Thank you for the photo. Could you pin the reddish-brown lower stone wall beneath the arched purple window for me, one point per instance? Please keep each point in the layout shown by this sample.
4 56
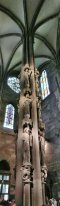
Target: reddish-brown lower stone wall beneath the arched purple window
8 153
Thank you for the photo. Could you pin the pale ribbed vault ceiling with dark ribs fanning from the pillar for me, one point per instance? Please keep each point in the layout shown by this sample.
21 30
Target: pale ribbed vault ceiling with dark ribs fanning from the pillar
21 19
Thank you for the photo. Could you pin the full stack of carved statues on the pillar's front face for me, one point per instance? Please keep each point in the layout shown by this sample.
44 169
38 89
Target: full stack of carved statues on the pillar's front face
25 107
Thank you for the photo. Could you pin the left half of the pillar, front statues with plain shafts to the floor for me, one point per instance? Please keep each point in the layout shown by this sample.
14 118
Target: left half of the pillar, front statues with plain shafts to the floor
23 173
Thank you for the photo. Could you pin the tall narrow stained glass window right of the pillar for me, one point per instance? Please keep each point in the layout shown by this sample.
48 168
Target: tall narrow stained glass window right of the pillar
44 85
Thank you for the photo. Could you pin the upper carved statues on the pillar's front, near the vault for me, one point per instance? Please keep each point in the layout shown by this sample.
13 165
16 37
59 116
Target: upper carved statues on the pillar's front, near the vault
25 98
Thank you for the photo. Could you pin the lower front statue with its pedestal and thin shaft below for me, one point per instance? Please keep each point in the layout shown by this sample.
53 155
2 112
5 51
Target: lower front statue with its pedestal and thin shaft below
27 127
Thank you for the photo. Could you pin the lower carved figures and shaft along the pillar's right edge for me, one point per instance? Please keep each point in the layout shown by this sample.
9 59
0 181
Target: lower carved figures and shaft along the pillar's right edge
41 135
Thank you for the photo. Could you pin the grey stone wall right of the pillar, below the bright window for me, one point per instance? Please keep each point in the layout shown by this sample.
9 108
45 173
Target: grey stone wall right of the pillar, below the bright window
51 118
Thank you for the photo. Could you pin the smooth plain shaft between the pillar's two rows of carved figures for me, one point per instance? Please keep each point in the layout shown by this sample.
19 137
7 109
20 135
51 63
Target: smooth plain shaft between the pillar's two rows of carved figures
37 187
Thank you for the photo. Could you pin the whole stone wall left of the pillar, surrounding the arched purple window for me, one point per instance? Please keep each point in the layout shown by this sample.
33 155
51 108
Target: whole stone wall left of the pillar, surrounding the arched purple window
7 136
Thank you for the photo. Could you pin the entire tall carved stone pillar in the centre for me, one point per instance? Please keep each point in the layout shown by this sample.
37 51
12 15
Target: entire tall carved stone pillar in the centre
29 166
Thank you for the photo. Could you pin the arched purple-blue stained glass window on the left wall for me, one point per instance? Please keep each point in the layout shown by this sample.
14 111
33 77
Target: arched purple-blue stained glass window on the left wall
9 116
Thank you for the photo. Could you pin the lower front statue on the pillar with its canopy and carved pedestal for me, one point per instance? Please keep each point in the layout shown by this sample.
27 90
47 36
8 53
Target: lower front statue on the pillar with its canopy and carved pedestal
27 143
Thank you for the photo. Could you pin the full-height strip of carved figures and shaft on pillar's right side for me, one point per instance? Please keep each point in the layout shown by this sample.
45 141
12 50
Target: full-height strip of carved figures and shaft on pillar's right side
41 137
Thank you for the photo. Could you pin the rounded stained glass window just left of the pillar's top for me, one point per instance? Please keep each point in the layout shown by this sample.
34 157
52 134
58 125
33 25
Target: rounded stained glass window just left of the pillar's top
14 84
